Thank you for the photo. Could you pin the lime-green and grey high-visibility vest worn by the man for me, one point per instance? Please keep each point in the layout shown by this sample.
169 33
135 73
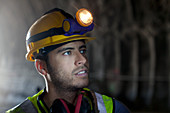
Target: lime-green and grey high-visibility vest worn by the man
30 105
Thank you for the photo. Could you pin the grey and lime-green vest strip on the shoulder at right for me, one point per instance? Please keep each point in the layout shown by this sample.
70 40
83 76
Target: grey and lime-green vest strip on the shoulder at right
104 103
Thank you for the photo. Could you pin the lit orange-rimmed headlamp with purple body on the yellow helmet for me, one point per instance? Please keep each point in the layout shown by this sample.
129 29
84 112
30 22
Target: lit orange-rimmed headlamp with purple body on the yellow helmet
81 24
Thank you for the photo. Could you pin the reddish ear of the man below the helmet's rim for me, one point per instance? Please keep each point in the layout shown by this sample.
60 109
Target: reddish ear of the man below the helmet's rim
41 66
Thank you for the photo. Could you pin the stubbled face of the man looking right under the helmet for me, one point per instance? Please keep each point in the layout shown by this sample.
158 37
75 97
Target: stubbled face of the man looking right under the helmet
68 66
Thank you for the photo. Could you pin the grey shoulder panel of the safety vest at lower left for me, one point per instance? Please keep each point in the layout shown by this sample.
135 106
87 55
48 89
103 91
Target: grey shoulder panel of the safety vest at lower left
24 107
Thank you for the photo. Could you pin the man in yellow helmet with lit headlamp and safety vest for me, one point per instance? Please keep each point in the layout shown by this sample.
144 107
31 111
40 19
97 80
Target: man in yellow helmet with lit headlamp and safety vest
57 44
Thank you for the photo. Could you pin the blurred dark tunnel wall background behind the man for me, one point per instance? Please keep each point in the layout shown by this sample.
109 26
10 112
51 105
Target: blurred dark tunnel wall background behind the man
129 60
